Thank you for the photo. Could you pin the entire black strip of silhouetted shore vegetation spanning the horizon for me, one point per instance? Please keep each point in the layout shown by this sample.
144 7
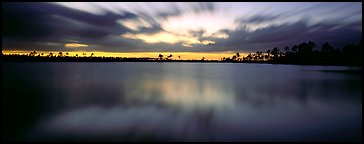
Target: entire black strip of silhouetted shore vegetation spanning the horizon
304 53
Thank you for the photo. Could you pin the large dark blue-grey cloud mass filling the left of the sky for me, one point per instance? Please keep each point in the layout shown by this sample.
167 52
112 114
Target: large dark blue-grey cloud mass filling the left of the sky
32 25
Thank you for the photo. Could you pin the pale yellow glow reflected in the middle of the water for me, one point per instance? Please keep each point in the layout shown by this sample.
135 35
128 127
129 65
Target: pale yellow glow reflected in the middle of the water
185 93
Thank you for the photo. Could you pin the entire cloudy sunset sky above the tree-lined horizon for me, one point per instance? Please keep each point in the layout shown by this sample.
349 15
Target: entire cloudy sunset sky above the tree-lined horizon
185 27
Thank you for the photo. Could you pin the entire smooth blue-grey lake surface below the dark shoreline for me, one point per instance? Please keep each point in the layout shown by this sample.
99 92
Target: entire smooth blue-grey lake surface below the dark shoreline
180 102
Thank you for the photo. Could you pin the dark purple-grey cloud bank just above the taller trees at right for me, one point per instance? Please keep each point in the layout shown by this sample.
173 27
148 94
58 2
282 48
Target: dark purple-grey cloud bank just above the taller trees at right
288 35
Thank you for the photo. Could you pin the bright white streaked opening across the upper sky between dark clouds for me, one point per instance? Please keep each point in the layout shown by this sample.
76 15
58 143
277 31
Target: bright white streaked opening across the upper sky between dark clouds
194 16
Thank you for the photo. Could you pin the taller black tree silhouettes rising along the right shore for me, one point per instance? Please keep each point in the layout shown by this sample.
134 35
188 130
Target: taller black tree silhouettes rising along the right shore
305 53
